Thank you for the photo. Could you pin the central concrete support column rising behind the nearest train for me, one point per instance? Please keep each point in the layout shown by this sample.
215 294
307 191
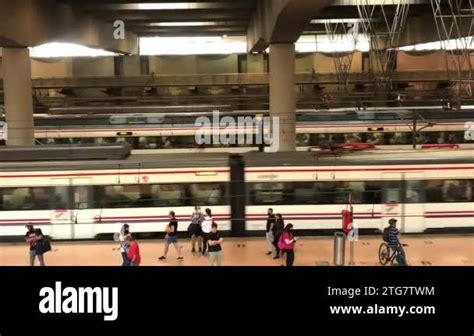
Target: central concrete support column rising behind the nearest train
282 92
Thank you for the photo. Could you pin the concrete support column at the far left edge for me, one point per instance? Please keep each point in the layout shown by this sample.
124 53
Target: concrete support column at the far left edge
18 97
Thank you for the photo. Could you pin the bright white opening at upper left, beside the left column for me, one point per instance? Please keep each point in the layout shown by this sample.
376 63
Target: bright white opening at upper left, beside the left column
56 49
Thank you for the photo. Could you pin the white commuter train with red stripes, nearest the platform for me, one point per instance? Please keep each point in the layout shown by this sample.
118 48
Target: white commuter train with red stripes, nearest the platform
85 199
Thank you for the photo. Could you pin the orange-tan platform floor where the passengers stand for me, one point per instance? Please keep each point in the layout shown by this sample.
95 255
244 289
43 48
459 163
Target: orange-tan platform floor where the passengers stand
422 250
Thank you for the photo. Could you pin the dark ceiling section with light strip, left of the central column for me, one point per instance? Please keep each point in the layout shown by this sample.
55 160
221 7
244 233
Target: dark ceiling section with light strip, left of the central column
174 18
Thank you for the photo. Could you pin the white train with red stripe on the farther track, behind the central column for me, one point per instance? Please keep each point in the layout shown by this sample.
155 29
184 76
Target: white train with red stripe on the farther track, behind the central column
175 131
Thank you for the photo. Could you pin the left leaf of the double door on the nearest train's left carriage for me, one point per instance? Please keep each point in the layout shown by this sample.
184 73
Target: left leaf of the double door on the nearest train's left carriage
60 213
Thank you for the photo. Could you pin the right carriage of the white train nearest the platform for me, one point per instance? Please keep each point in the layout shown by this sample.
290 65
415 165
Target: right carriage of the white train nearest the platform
424 190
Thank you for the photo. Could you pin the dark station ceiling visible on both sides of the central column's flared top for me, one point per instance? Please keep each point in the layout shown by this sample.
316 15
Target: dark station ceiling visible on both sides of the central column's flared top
212 17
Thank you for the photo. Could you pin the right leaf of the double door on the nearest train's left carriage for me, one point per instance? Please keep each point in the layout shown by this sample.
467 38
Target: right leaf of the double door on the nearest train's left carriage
84 213
